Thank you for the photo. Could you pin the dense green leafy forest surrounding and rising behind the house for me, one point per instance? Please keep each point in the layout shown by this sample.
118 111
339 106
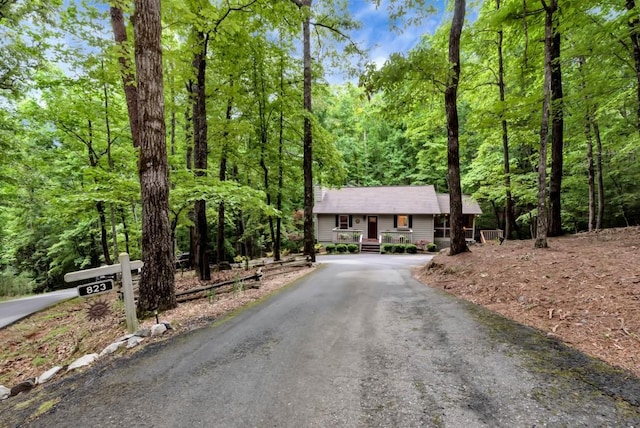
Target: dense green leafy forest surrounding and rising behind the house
235 115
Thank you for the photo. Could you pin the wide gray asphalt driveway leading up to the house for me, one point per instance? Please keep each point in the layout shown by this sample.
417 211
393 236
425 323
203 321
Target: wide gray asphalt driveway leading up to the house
353 344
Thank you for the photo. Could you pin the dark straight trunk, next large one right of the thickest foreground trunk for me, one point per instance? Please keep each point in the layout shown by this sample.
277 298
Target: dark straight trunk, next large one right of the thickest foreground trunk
200 153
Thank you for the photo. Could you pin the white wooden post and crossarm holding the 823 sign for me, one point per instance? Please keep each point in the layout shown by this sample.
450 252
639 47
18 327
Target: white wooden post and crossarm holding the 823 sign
125 267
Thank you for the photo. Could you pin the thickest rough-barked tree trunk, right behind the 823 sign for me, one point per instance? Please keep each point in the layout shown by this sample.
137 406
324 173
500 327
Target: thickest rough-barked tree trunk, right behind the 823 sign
157 283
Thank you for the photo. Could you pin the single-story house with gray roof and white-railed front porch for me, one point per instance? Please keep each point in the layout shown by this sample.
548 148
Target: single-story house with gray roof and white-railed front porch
371 216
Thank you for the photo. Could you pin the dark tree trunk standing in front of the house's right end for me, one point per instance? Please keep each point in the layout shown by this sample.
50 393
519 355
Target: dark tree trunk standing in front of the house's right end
458 239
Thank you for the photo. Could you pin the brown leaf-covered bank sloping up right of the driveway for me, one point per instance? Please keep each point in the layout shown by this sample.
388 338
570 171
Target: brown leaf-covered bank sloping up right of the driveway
583 289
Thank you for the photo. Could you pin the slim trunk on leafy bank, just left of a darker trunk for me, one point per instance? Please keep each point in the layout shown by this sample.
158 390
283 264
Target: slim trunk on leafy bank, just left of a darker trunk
543 219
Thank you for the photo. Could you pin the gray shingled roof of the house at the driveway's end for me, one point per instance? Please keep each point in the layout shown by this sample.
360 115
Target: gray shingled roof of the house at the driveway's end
386 200
